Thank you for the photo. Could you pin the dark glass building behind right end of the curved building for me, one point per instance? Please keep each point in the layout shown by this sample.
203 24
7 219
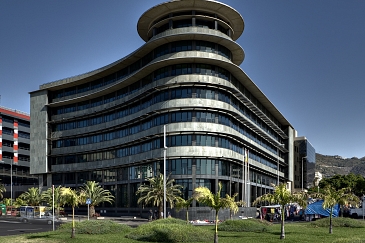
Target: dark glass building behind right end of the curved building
305 161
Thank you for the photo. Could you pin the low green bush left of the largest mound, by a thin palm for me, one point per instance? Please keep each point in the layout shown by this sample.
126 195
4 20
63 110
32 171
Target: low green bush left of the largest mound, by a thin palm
96 227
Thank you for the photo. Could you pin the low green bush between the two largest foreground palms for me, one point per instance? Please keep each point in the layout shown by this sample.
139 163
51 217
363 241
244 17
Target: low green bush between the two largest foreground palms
244 225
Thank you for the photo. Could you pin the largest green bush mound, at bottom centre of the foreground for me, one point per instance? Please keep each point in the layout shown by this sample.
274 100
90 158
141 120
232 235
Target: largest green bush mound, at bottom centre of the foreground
170 230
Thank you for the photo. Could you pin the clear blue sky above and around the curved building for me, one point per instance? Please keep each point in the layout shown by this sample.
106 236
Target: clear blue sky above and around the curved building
308 57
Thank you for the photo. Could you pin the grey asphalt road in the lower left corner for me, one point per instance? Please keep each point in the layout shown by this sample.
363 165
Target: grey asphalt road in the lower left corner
13 226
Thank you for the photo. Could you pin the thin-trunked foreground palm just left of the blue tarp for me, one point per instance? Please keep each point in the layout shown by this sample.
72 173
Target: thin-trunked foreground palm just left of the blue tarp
283 196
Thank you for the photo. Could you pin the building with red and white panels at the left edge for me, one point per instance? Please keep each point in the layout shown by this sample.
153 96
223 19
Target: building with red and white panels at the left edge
14 152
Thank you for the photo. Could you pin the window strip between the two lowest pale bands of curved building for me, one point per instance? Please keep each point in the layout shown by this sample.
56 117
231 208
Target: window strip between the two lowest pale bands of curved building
172 141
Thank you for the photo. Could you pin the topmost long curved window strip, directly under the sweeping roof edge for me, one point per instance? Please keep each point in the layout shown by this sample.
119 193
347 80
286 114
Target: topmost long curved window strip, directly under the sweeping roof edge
172 47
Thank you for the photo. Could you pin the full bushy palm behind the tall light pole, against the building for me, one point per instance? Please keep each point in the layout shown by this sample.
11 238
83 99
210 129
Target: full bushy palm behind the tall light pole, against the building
154 192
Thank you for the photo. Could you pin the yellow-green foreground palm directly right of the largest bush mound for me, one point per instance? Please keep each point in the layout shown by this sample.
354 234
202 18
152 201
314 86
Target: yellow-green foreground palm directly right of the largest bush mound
215 201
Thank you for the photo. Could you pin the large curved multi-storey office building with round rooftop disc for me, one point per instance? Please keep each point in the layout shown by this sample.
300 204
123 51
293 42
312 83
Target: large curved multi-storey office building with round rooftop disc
107 125
